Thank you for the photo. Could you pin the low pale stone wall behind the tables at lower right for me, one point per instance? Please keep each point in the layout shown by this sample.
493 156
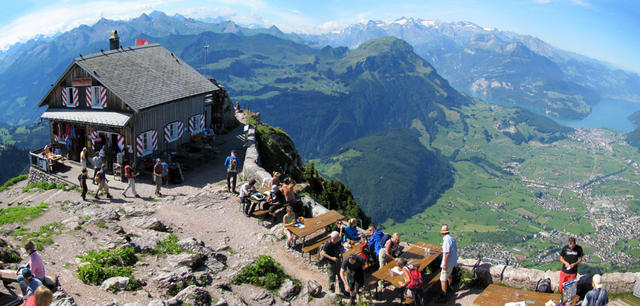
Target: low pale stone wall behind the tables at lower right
528 278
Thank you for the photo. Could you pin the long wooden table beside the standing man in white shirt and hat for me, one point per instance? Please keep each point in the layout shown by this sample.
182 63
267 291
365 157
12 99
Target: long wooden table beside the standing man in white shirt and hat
416 255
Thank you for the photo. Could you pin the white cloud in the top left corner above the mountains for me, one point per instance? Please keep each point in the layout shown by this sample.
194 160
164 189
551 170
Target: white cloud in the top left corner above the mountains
64 16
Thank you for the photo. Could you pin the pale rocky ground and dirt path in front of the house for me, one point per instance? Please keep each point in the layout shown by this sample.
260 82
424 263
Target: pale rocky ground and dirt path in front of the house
200 209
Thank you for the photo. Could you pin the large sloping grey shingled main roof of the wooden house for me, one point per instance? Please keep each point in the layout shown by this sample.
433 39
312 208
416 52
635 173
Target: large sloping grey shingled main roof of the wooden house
145 76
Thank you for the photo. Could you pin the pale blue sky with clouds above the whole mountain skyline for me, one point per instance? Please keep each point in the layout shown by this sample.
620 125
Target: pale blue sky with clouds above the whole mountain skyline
608 30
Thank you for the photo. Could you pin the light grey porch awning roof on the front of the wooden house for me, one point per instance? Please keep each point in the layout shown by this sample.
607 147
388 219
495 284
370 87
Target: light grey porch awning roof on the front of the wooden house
113 119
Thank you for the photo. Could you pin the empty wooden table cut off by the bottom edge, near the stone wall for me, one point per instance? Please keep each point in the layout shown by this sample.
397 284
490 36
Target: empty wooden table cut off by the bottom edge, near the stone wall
499 295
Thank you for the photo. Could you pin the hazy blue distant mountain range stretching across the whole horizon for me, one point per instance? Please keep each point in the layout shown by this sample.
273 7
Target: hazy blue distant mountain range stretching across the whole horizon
496 65
